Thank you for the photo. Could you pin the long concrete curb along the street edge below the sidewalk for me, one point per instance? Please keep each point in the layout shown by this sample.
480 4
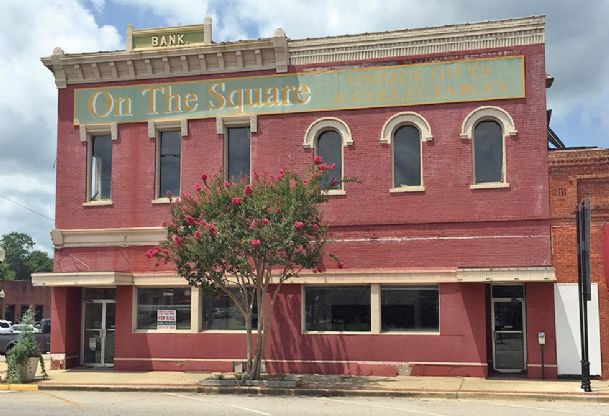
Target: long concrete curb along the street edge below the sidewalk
263 391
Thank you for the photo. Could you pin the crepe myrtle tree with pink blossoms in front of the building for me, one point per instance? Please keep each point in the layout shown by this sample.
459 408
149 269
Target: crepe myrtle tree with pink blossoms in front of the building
248 236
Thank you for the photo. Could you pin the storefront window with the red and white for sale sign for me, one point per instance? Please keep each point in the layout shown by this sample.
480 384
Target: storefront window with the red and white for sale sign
172 302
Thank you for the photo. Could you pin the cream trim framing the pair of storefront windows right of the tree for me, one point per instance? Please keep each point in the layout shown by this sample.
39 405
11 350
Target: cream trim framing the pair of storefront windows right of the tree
375 314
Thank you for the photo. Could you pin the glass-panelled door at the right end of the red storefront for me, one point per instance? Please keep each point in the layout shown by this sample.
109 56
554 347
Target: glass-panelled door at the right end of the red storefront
508 328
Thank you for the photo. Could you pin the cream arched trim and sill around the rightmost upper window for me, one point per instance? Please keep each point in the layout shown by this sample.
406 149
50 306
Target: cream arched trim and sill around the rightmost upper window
508 128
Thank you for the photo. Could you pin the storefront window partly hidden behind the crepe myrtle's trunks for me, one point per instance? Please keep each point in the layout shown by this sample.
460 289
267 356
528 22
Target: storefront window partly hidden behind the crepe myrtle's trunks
221 313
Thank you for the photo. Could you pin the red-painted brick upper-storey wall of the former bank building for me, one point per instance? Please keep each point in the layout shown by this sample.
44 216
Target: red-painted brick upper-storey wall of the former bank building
513 222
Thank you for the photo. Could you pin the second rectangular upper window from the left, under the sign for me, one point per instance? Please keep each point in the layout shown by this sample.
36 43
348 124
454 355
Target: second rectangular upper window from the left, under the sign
169 151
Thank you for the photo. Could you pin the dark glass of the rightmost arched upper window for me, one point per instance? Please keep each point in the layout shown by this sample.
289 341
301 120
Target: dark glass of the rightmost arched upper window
488 152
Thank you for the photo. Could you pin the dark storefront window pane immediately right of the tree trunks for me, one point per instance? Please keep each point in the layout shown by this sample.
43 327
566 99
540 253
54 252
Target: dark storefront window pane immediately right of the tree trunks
337 308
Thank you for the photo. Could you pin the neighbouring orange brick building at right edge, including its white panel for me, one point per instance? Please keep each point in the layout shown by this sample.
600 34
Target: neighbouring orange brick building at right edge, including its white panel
576 174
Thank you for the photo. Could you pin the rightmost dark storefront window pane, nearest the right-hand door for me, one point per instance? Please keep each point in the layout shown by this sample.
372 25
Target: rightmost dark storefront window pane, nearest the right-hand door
407 308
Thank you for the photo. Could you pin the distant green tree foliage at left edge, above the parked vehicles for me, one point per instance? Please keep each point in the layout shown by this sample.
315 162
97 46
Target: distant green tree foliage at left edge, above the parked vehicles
21 260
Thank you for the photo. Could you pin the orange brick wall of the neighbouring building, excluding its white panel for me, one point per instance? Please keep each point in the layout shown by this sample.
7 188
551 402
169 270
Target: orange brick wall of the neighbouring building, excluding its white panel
577 174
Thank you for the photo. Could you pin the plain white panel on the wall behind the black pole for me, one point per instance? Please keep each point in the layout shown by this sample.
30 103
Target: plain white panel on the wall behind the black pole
568 345
